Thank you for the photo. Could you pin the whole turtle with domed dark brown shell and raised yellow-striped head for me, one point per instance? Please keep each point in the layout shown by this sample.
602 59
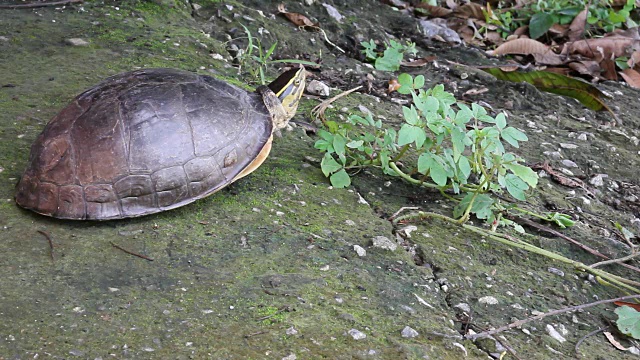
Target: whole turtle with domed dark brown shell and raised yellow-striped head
152 140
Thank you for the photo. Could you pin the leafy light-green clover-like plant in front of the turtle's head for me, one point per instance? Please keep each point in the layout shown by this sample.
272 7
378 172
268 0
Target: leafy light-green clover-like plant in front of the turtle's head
457 149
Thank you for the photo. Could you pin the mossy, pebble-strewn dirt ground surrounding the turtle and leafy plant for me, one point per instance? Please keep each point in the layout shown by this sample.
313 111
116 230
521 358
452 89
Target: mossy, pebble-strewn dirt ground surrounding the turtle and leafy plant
266 269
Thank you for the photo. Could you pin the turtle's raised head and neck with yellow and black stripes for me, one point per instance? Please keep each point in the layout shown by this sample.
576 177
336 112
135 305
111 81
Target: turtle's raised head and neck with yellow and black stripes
288 87
